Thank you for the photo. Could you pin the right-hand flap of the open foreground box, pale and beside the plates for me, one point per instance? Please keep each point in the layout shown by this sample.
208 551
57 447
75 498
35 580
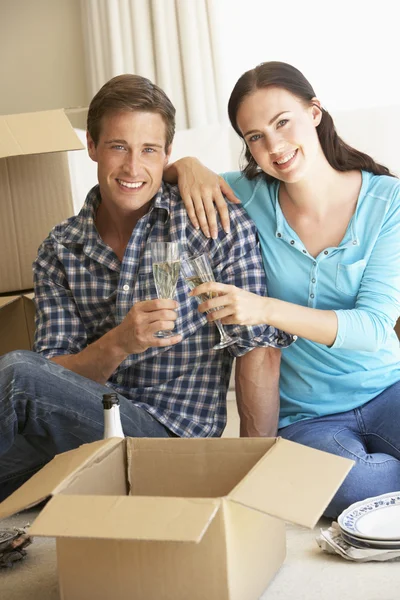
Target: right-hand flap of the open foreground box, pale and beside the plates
292 482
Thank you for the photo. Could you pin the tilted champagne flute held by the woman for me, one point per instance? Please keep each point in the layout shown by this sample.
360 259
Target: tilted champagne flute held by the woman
198 270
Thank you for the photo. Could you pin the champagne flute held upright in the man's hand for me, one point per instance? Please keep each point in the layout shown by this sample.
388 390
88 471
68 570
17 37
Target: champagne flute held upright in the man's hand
166 266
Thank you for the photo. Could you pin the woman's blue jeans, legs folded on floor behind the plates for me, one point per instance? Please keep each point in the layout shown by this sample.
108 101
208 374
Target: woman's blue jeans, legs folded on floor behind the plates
369 435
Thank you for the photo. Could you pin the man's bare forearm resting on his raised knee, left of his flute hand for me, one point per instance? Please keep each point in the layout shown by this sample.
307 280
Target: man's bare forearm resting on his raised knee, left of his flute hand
98 360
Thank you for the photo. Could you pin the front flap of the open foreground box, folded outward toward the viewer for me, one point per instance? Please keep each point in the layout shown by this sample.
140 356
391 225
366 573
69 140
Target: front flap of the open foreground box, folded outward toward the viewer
126 518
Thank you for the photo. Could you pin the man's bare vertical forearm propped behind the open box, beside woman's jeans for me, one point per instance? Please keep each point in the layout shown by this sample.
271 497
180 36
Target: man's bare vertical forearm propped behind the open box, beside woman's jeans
257 392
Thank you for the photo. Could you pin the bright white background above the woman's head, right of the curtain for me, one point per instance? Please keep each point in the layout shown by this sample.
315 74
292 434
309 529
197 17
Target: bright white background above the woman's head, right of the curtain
348 49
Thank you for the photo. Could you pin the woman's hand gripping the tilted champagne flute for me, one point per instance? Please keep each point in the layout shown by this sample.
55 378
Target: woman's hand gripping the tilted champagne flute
235 306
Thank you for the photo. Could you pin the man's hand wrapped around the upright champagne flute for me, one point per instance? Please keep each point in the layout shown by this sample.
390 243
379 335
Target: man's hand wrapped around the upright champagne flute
136 332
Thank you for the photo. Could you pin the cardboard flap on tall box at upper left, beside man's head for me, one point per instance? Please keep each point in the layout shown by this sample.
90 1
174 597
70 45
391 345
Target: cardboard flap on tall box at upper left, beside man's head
37 133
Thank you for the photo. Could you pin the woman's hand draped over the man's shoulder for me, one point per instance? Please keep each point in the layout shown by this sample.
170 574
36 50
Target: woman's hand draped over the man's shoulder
200 189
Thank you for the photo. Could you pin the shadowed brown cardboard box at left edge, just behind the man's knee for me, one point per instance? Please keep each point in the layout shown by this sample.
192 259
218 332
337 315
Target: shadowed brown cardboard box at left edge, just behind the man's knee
17 323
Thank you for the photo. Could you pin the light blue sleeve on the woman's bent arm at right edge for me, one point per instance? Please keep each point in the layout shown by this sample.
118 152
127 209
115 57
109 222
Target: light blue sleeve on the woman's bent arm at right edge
368 325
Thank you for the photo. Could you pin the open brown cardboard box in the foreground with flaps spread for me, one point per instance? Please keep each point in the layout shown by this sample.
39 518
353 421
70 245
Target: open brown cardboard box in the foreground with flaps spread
176 519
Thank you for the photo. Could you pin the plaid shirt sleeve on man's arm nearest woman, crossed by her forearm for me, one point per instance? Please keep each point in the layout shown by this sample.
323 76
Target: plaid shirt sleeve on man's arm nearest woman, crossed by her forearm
236 259
